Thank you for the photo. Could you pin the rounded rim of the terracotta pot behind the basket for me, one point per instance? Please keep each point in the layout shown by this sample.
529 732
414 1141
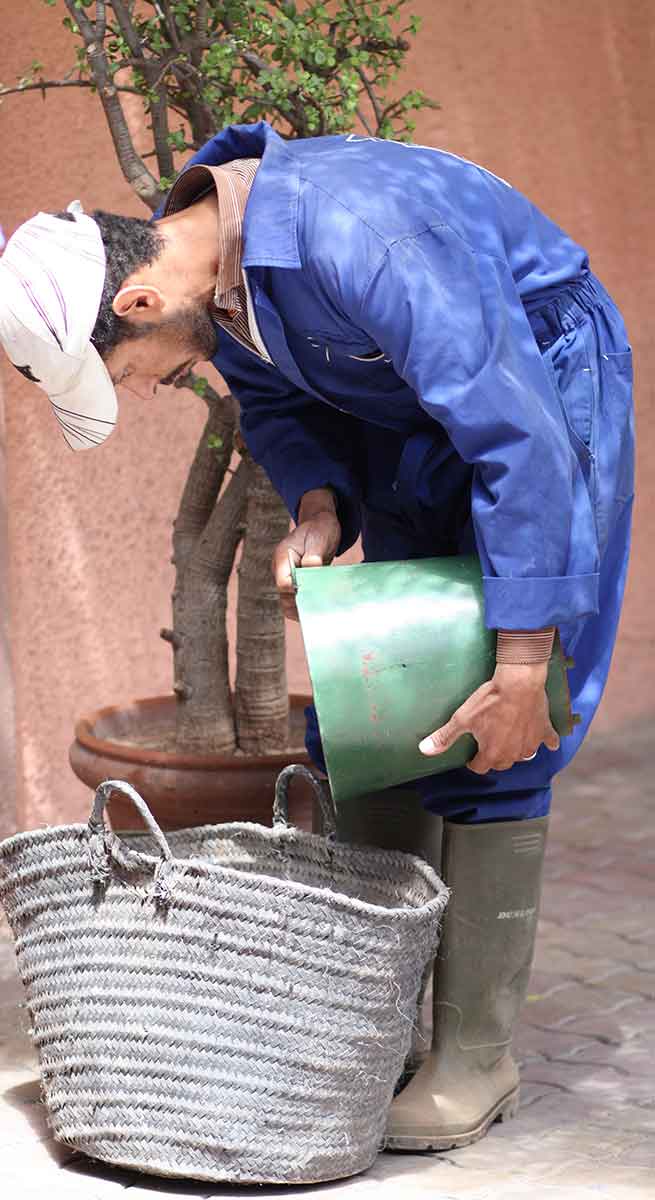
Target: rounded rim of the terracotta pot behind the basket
167 759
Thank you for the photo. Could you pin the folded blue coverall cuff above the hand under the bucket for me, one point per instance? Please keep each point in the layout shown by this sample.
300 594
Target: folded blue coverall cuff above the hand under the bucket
533 603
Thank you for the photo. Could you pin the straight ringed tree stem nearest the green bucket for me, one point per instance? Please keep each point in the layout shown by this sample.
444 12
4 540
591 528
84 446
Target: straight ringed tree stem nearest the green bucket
262 699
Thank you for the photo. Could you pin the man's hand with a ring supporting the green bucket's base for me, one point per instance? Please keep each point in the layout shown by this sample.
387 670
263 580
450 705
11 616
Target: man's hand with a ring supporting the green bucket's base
508 717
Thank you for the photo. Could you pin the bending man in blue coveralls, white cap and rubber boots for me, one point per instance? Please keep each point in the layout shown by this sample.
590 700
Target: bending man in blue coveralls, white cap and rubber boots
422 356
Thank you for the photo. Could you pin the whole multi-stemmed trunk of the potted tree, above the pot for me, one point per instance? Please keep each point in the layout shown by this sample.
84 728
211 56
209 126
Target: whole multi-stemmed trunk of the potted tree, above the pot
207 536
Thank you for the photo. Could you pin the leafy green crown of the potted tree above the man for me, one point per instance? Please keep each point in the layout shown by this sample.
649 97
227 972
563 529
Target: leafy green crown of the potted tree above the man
199 65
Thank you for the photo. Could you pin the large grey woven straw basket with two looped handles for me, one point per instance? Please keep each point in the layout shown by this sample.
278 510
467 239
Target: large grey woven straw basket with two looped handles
231 1004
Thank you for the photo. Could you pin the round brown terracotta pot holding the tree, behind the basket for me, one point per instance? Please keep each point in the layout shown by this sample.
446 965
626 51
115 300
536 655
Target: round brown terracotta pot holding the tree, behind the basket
184 789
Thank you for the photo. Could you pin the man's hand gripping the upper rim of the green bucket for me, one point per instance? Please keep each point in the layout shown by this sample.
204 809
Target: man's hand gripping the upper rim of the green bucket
314 543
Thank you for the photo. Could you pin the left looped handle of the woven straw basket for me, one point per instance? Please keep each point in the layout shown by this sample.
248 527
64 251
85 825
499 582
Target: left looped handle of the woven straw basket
104 844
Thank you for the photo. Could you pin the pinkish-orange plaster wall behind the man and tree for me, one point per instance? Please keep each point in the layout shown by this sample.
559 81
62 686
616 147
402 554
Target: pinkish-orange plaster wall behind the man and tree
557 98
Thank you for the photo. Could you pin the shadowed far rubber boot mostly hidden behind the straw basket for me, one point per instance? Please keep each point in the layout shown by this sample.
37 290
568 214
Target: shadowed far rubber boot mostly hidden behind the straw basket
396 820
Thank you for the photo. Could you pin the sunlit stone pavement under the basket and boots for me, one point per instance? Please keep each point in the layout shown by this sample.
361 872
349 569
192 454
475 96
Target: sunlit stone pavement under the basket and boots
587 1041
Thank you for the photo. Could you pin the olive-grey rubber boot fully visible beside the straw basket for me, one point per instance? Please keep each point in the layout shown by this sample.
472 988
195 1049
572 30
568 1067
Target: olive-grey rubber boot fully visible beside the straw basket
470 1078
